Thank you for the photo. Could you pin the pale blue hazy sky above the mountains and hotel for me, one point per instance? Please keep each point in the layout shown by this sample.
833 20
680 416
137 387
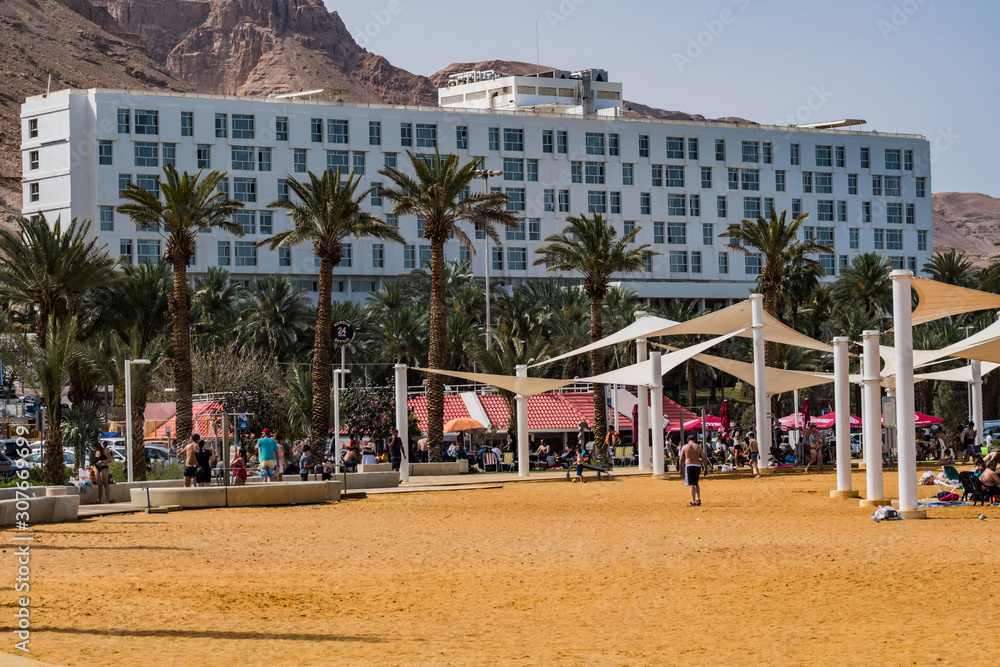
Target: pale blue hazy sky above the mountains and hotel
917 66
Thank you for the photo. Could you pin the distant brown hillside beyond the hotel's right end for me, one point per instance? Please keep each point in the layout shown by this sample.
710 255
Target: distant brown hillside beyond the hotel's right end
967 221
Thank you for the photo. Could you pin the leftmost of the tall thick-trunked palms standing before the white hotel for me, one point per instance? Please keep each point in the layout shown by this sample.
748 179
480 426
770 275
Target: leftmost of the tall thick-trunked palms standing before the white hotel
190 204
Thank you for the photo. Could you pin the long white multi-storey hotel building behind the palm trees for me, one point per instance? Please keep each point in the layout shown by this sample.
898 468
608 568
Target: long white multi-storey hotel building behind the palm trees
562 140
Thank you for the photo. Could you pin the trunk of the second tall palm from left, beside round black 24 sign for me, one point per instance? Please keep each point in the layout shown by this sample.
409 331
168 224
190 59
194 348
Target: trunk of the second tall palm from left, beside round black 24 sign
320 424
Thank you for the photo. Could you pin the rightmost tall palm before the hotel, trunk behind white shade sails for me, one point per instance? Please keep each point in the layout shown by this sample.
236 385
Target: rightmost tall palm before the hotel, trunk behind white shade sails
775 241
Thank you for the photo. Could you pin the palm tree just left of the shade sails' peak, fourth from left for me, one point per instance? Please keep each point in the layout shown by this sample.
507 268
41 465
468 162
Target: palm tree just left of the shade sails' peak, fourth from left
592 248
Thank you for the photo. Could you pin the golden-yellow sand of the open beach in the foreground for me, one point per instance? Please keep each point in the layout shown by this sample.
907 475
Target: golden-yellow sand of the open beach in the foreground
768 571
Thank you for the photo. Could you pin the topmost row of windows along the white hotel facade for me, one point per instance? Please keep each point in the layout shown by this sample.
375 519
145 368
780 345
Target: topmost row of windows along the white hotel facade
425 135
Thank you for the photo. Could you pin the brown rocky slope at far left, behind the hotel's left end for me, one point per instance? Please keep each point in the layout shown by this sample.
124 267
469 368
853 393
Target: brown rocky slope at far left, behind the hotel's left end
80 46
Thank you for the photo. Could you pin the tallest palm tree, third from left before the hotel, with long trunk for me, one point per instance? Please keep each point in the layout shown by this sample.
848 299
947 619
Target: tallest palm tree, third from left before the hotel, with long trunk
439 195
